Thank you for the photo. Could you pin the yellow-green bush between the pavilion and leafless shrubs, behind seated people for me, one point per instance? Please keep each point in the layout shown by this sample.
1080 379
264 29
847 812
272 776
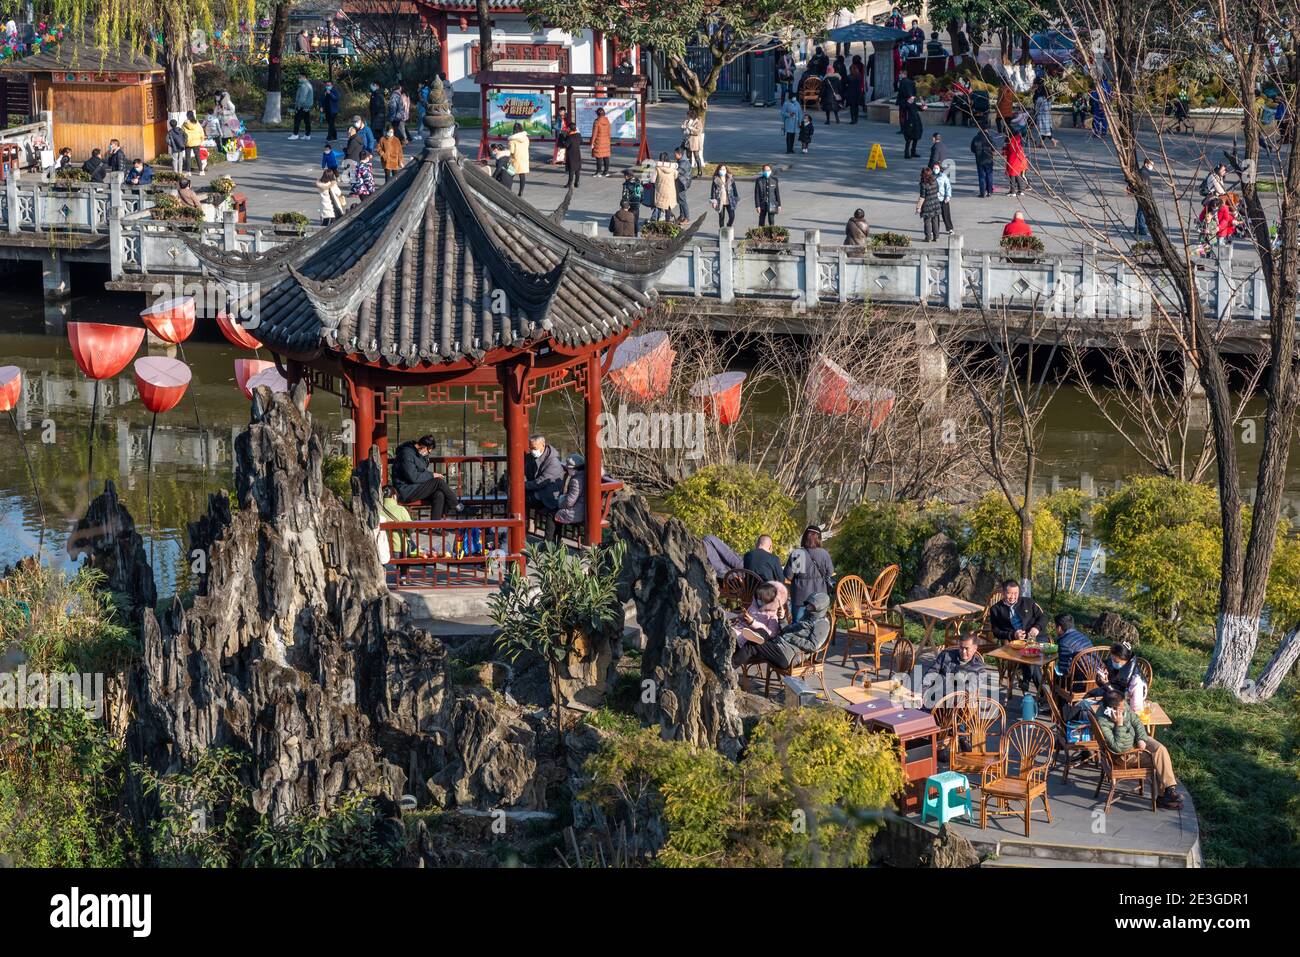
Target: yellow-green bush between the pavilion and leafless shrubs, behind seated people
736 504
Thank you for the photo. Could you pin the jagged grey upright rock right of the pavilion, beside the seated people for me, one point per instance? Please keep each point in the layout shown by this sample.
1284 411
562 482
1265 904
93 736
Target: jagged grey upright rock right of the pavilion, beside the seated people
688 644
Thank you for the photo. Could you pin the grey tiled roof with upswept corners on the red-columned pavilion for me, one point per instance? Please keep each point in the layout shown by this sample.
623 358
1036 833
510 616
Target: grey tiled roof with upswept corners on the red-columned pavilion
440 265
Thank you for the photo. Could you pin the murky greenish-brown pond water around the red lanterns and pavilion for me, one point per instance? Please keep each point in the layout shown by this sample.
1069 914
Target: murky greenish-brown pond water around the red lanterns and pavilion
193 447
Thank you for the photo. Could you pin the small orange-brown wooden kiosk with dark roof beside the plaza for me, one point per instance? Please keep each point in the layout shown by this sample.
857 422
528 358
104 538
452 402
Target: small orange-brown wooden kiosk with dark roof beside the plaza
97 96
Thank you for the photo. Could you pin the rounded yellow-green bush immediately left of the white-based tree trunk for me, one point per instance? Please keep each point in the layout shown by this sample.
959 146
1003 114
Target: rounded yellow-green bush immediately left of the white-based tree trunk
1164 545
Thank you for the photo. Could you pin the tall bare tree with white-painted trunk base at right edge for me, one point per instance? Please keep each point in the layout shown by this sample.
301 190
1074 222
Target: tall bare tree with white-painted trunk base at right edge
1250 46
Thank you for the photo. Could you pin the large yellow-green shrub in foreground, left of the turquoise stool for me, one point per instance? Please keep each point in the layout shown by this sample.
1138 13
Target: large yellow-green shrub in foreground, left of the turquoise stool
809 790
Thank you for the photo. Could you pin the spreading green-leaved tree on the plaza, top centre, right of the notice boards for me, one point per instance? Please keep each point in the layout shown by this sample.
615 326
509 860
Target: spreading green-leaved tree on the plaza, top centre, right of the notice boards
694 41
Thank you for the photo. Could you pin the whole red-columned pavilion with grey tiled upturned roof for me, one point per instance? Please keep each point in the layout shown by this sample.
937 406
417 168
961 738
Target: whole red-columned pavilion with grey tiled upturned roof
447 285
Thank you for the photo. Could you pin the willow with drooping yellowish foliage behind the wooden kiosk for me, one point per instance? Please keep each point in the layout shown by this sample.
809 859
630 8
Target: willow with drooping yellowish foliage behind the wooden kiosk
162 27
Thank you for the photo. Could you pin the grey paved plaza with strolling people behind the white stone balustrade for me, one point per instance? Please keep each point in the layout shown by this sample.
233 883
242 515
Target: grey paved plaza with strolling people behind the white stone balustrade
820 190
